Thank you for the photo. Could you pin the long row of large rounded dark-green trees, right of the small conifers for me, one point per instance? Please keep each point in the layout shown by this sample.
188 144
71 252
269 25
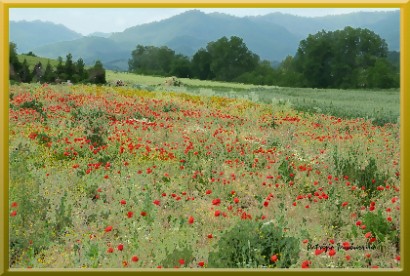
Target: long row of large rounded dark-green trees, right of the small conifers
348 58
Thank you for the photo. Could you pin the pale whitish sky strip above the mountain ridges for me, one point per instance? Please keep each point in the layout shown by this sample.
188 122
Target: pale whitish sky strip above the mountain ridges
86 21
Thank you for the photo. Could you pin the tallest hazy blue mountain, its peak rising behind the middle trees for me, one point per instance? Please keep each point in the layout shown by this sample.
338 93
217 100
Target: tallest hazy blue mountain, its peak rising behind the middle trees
189 31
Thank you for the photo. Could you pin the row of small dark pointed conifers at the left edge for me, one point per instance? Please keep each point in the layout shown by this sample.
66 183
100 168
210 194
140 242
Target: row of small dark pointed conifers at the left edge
66 70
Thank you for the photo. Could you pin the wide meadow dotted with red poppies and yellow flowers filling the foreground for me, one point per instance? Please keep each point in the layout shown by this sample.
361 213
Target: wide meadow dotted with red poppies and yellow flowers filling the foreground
139 178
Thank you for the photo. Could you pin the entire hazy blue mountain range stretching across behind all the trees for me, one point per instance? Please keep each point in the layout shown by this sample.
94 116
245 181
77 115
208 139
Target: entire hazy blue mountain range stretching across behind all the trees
272 36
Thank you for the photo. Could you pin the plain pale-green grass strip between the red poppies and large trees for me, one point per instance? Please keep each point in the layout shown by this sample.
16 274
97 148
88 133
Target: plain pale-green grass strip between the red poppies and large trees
381 106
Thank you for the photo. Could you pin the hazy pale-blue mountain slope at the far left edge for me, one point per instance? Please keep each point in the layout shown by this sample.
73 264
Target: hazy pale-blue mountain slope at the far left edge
29 35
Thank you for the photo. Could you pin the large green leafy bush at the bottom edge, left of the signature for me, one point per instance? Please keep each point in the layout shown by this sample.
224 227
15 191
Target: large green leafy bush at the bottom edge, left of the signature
251 244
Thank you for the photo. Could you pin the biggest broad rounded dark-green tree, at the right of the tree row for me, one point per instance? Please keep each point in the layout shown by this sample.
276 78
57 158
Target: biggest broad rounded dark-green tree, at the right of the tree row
339 59
